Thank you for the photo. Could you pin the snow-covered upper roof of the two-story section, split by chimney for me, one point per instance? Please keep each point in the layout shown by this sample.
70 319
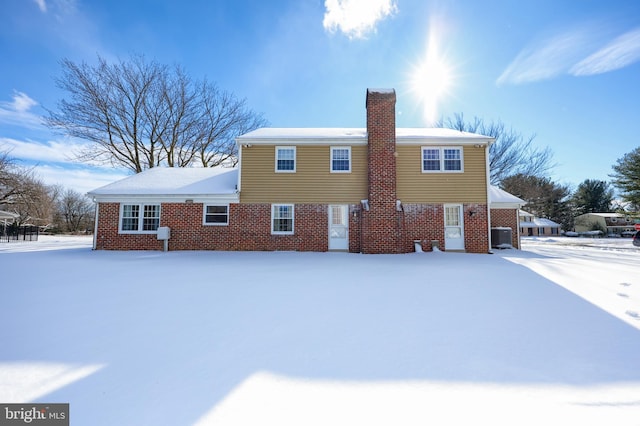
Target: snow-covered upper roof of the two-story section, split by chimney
269 135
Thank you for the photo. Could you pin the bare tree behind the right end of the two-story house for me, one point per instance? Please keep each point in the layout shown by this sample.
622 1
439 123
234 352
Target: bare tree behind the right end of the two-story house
510 154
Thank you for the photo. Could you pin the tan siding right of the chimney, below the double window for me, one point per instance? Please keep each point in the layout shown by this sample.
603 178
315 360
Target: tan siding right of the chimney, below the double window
417 187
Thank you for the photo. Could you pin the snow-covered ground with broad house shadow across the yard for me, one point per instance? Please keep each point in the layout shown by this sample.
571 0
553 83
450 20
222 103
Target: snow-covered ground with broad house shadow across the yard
547 335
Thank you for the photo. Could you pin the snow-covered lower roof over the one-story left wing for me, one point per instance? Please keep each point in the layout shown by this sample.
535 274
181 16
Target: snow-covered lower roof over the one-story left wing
173 182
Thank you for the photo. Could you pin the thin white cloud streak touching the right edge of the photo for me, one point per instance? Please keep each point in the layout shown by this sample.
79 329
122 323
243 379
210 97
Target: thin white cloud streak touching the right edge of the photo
621 52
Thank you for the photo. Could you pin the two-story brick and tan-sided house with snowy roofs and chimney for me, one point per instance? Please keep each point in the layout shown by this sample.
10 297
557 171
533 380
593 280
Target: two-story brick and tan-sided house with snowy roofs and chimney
377 189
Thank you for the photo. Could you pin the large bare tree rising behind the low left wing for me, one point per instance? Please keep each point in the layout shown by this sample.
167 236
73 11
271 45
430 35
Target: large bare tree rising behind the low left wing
140 114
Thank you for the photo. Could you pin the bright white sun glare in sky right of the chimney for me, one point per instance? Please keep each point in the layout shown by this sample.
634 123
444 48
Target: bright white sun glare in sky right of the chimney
431 79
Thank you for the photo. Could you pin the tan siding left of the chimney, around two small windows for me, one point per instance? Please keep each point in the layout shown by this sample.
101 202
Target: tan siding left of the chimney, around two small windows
312 181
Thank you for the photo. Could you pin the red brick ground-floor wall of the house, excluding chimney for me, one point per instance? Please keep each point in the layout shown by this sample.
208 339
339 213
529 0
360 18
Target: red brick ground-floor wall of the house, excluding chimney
249 229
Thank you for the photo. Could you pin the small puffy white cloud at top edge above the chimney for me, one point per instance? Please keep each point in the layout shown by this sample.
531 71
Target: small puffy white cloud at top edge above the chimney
356 18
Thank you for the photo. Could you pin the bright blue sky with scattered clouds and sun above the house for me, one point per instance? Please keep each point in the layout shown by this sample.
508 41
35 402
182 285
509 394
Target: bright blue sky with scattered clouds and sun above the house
566 71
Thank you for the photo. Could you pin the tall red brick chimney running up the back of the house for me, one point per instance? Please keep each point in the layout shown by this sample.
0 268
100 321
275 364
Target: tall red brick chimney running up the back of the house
382 222
